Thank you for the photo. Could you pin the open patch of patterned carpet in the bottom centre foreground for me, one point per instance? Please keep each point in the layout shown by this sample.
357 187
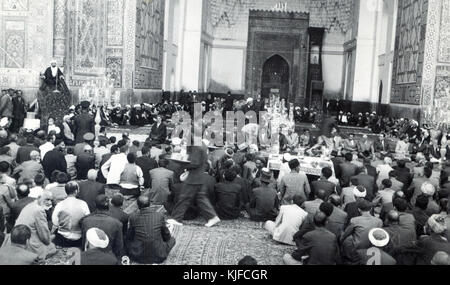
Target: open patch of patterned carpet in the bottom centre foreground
225 244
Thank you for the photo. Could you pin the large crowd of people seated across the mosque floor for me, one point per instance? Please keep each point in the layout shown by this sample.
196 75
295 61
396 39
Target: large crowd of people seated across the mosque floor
386 197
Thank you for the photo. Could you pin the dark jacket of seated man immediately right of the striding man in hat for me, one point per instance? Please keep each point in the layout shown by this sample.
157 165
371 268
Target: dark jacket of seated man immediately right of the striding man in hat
227 200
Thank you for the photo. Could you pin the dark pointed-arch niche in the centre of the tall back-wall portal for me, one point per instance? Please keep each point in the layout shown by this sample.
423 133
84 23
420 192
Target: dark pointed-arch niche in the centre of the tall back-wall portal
275 78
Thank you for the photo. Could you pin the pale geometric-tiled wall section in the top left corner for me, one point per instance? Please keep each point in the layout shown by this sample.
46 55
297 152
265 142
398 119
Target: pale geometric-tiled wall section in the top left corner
26 34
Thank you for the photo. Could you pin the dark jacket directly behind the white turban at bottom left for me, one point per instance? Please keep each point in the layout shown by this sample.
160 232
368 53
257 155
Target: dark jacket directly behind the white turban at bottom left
111 226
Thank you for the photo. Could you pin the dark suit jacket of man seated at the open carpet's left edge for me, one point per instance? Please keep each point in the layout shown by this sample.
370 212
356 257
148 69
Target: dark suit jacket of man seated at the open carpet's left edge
149 240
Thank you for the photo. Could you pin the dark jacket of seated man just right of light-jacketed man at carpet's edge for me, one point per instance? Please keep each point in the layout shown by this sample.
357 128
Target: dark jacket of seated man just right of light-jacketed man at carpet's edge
320 245
